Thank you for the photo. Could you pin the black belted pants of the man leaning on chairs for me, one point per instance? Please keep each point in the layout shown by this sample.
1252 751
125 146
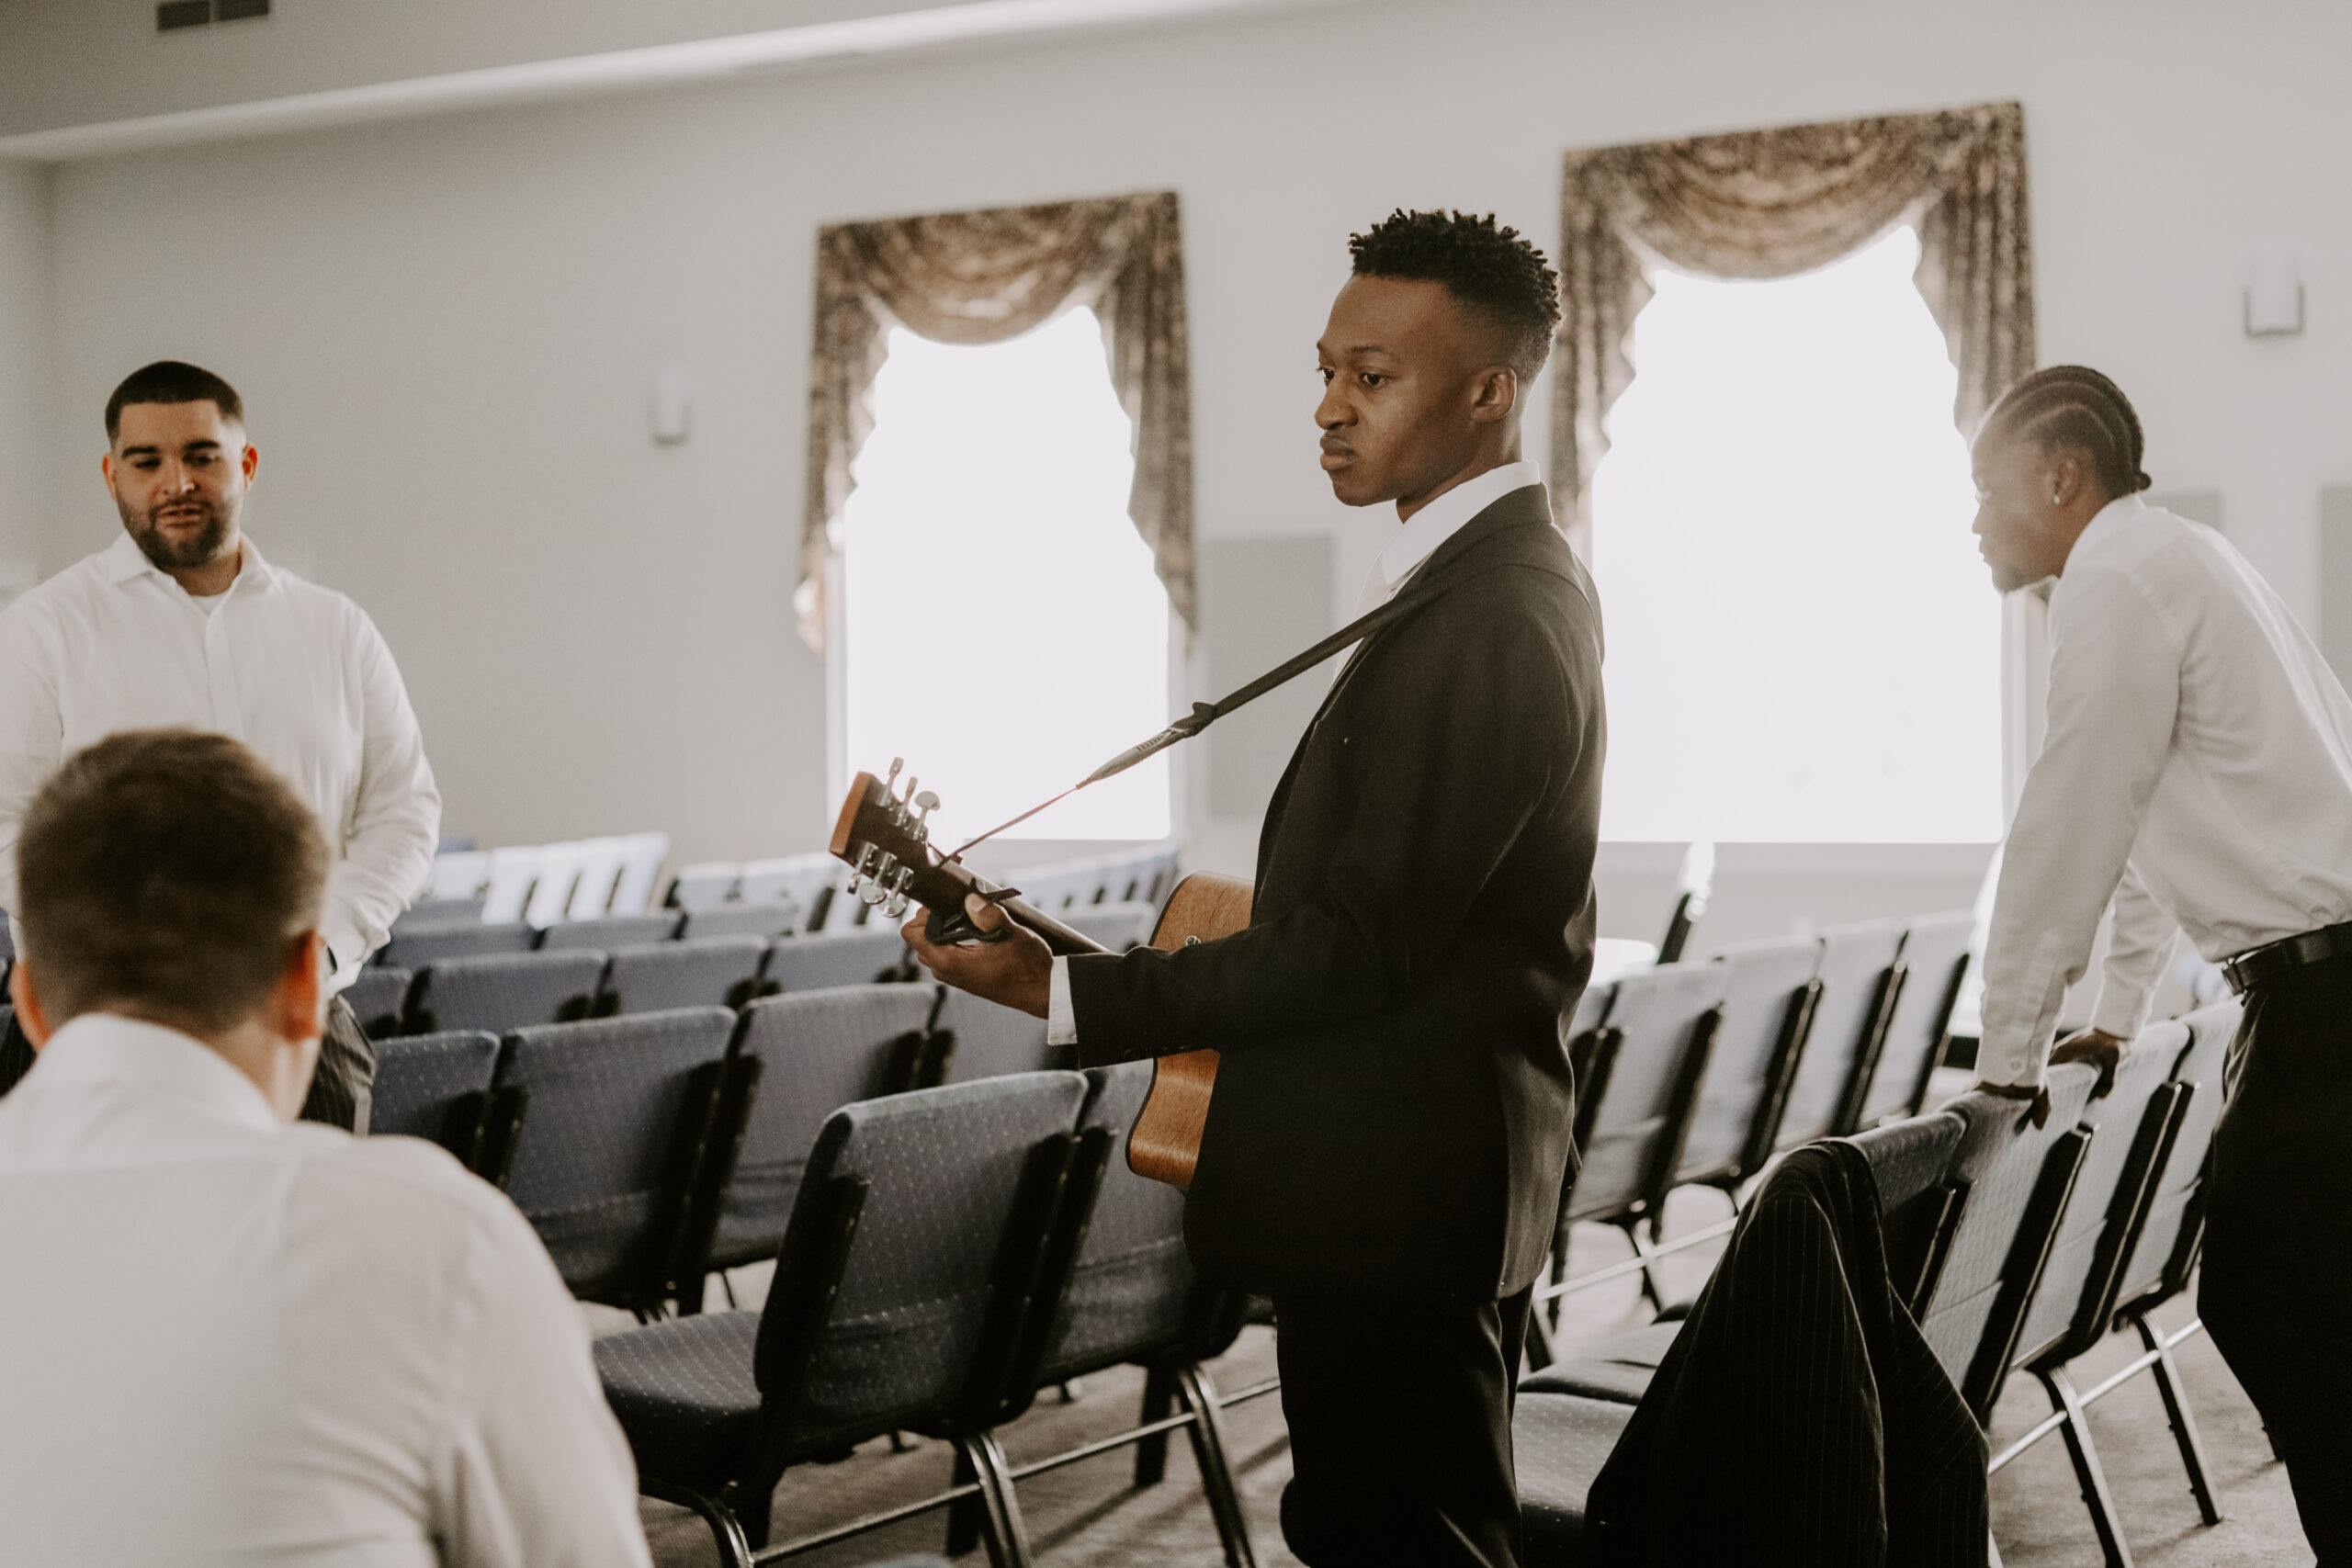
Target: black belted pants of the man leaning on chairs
2278 1259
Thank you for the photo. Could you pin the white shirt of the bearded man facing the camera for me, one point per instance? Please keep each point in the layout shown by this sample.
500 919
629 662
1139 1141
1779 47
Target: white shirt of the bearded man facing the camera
286 666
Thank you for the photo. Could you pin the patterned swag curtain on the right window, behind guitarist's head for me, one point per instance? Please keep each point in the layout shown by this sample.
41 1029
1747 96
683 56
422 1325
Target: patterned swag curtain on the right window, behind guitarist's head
1786 201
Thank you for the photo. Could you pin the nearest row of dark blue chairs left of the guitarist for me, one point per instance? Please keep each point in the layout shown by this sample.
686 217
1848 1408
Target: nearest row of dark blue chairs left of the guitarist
949 1240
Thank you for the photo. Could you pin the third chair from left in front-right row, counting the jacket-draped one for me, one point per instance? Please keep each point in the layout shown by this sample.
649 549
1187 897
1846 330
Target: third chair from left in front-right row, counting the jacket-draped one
2132 1134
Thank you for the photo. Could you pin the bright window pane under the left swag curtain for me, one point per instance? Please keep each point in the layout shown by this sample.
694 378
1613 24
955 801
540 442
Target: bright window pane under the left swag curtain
1005 631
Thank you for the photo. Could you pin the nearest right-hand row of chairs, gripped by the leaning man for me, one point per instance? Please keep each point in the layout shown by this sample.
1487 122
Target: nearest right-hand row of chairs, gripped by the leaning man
2014 1249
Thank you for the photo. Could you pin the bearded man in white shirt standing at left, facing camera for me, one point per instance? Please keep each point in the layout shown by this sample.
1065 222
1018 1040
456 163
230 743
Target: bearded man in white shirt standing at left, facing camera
182 622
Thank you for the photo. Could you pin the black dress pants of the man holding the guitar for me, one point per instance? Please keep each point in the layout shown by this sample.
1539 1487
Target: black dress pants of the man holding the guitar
1401 1430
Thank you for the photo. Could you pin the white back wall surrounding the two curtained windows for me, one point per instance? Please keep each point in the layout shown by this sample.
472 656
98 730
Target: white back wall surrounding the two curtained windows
448 330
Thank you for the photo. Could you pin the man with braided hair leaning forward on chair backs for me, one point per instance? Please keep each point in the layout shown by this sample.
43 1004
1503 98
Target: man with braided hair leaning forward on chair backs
2198 770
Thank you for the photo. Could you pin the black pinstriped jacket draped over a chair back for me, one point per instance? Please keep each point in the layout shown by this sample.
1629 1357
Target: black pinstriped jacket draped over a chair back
1798 1416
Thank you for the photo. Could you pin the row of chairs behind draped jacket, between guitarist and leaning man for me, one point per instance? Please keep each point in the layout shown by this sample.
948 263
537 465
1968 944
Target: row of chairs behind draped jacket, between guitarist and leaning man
1702 1073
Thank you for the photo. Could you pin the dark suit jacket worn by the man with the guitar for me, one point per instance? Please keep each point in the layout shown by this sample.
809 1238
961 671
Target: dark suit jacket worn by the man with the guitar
1394 1099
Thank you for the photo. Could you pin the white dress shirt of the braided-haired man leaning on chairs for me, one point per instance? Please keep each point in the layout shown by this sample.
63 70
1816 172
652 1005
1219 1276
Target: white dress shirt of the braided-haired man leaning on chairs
2198 770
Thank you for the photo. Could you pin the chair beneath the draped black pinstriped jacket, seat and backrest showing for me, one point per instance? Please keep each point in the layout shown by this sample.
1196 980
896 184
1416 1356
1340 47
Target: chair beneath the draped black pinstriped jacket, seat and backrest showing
1572 1416
